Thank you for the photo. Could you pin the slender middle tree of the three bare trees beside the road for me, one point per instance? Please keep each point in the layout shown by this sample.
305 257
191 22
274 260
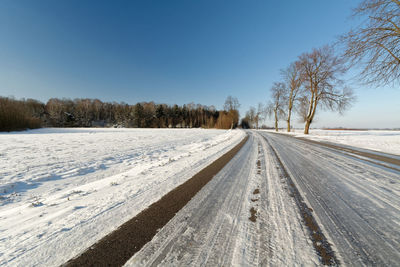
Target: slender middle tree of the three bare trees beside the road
293 80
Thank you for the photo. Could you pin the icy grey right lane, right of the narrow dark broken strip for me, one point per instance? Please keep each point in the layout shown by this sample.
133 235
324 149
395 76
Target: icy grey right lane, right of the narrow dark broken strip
357 203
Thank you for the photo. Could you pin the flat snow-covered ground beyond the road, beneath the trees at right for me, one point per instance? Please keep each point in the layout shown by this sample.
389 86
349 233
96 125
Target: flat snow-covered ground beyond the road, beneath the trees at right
378 140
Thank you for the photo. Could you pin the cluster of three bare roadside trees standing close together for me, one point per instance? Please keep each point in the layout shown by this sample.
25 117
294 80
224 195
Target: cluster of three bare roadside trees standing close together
311 83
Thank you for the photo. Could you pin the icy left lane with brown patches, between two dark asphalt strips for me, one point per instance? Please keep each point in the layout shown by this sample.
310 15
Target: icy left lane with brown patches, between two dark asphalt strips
244 216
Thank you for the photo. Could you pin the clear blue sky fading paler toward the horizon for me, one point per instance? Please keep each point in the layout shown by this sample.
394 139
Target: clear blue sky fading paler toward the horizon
175 52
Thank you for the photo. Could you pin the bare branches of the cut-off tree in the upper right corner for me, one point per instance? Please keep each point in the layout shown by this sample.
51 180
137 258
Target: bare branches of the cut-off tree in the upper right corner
376 43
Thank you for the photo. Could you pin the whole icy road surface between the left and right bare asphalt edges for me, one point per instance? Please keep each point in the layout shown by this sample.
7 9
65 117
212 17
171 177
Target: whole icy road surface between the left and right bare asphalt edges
248 214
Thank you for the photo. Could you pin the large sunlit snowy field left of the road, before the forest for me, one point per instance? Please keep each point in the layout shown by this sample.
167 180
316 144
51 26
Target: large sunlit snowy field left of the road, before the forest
63 189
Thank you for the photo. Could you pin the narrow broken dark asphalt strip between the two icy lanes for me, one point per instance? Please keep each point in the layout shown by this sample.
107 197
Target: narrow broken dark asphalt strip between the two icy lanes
320 242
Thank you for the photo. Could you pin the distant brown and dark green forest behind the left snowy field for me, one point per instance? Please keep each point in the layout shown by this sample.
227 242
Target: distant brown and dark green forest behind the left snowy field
30 114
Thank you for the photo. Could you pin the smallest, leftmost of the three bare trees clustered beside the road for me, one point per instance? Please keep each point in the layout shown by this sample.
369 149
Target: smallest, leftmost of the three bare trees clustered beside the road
276 107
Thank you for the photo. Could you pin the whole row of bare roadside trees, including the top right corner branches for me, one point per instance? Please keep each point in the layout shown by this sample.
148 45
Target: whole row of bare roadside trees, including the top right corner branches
314 81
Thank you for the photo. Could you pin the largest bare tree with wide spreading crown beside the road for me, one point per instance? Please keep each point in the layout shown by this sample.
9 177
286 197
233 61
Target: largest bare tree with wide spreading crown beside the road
321 70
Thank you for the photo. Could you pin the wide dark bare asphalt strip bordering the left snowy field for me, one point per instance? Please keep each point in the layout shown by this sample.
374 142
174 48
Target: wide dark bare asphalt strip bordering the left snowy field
119 246
